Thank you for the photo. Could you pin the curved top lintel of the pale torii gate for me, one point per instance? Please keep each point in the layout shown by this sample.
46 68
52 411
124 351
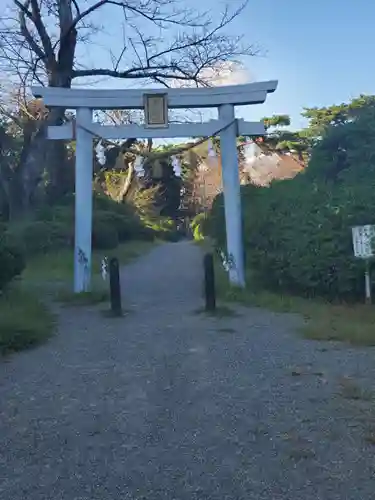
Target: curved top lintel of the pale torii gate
207 97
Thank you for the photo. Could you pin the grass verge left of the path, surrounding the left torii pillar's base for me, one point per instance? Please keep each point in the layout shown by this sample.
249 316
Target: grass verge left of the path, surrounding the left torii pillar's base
25 321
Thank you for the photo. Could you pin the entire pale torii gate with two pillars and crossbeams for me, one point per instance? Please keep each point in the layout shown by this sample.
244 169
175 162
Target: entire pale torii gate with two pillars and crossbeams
156 103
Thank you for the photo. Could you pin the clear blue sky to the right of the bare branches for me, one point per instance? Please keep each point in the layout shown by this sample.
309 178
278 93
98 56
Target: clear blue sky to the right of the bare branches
322 51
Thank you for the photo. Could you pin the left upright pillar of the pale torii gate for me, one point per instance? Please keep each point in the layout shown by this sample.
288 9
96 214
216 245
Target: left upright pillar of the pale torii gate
83 203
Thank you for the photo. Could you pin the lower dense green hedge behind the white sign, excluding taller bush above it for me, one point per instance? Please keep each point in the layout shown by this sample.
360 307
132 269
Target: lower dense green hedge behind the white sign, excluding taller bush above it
297 235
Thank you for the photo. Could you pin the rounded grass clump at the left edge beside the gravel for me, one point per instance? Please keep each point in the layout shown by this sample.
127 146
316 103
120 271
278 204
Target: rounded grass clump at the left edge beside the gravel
24 320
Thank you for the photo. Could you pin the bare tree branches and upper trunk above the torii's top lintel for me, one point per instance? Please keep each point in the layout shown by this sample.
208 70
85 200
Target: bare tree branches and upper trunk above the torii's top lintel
184 56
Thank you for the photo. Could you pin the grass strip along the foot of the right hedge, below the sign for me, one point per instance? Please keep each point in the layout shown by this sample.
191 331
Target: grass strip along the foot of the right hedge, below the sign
351 323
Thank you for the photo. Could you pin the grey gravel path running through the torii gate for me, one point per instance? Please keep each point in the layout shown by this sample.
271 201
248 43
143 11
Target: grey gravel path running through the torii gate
169 404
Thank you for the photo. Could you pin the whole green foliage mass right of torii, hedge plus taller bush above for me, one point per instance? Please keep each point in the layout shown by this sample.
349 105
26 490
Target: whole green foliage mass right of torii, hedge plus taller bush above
298 232
